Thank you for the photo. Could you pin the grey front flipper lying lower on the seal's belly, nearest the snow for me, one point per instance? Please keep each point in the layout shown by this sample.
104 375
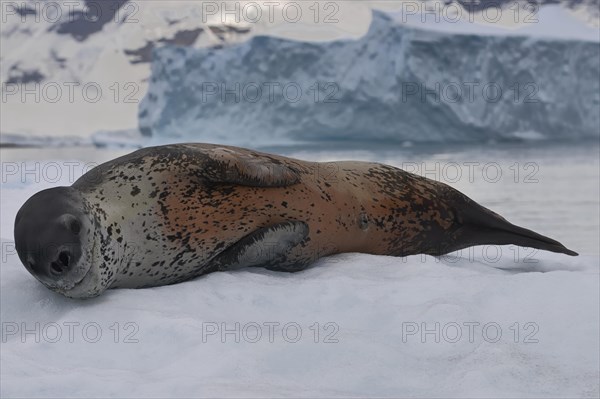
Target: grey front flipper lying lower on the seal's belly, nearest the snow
268 247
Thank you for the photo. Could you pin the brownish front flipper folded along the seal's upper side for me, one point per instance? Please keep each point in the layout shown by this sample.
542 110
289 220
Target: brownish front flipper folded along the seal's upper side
225 165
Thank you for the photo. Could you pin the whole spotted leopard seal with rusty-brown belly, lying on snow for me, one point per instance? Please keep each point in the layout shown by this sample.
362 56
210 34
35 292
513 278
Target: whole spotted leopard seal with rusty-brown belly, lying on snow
166 214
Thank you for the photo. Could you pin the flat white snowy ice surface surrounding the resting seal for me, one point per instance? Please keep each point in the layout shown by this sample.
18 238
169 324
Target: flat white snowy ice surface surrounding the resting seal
377 307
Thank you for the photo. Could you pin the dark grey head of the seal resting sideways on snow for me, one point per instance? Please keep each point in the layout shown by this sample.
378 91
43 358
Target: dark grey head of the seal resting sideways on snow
54 237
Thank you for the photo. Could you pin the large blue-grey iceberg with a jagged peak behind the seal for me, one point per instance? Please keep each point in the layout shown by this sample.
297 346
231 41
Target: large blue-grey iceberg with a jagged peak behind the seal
395 84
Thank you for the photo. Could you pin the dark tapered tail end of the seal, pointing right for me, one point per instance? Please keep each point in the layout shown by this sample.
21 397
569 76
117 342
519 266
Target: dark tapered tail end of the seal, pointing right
478 225
